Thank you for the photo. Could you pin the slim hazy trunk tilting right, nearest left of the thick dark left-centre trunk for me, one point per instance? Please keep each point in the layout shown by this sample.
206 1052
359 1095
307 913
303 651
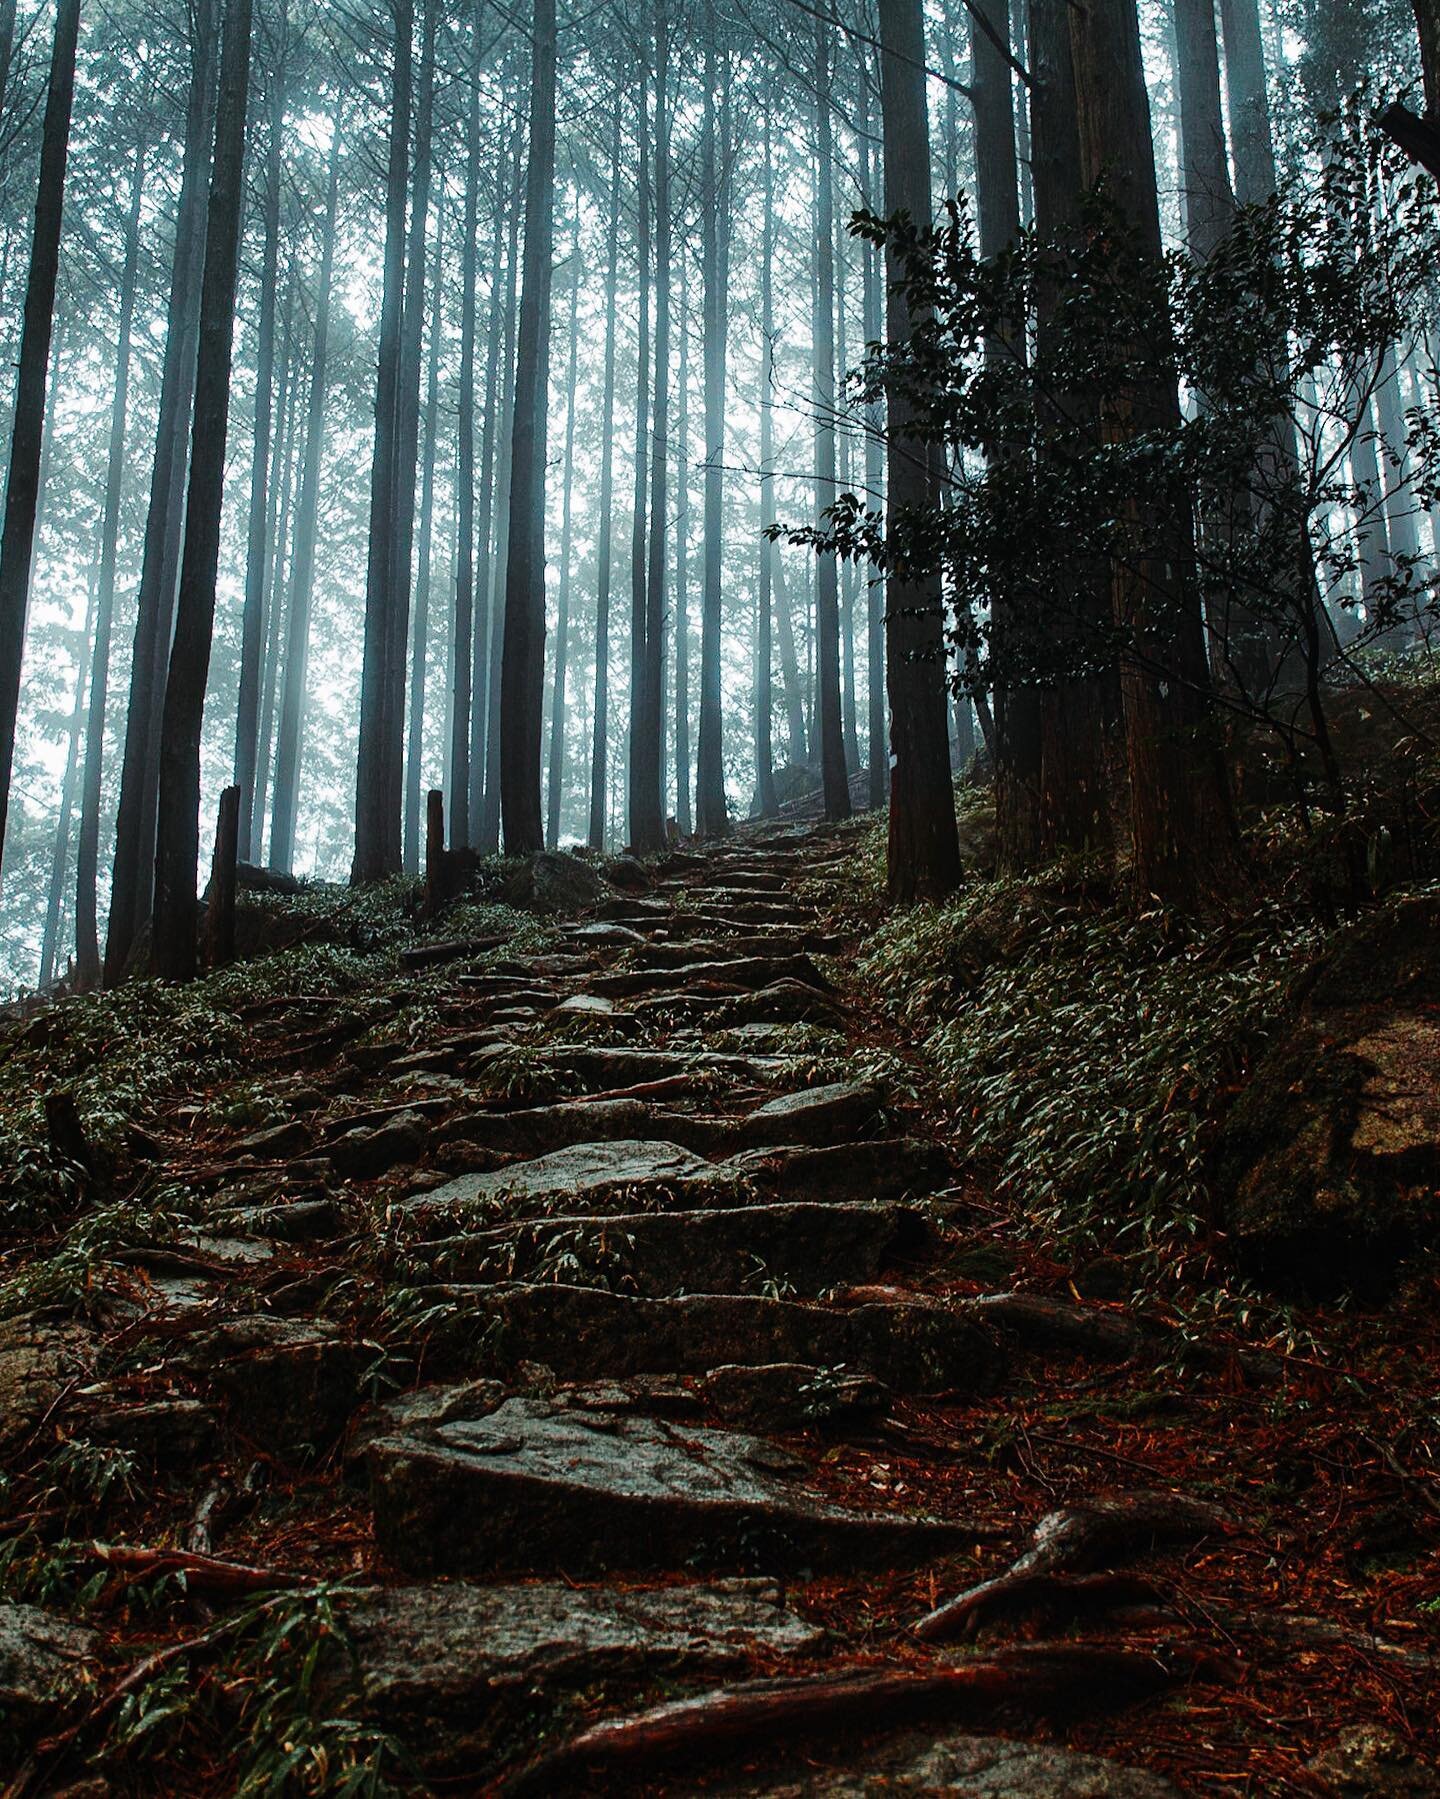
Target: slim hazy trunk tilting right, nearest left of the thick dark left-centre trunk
291 738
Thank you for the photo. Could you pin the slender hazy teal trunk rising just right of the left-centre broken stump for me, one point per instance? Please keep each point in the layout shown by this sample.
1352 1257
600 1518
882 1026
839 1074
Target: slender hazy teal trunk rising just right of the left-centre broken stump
463 629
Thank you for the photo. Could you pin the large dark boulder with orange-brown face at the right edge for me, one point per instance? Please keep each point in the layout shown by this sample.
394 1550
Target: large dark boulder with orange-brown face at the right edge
1329 1165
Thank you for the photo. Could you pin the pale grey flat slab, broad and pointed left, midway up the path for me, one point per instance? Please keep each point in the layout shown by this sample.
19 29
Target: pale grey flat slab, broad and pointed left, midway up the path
586 1176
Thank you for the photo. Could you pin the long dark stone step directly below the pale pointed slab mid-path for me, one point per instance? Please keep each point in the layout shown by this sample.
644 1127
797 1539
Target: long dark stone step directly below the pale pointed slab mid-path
804 1249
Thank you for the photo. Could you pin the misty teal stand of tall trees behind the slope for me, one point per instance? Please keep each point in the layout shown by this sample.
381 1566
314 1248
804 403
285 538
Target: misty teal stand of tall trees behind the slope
633 334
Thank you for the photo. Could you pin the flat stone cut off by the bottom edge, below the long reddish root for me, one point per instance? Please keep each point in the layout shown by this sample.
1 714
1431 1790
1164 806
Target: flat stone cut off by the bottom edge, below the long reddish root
971 1768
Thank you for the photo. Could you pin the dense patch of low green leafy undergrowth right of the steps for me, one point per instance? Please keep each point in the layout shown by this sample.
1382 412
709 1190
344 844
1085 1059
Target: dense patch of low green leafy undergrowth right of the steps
1084 1048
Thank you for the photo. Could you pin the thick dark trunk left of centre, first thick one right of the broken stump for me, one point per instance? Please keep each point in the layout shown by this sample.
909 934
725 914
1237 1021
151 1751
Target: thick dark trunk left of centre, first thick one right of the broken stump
523 674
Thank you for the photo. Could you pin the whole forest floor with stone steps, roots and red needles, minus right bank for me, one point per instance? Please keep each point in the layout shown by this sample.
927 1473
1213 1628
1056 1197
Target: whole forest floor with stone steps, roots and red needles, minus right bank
571 1361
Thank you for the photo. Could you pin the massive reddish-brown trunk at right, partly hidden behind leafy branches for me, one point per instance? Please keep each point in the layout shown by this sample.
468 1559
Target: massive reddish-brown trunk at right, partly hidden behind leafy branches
1180 807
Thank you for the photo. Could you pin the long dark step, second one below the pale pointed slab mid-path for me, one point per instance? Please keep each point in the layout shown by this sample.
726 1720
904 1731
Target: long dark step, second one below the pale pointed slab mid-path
586 1334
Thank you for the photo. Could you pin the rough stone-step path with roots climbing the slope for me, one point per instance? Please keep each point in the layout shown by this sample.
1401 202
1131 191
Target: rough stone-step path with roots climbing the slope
631 1356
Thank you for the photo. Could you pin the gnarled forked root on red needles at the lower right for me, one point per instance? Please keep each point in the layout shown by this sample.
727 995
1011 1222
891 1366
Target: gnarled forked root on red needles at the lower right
1075 1541
